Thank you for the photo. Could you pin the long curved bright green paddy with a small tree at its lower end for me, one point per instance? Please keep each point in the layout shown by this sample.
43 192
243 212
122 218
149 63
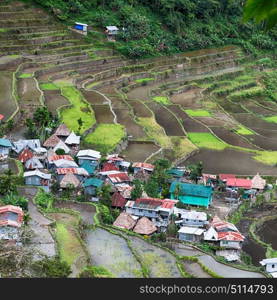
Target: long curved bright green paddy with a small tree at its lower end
79 109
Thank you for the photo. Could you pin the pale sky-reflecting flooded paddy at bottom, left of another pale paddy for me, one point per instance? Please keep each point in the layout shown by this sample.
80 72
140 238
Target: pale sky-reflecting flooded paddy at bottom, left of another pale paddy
112 252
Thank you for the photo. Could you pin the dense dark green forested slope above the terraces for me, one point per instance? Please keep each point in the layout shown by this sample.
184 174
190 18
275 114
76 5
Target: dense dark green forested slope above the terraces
162 27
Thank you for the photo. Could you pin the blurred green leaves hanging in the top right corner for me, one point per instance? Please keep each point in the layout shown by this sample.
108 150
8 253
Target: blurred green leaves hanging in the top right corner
261 11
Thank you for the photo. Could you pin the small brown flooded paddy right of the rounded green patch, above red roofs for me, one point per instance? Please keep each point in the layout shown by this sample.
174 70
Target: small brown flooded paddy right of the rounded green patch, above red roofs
137 151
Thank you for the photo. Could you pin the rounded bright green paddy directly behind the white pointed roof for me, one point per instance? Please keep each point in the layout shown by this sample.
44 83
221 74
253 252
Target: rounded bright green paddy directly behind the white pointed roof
106 137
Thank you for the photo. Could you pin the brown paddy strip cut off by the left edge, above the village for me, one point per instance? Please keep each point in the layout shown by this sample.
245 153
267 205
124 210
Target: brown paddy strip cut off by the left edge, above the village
7 103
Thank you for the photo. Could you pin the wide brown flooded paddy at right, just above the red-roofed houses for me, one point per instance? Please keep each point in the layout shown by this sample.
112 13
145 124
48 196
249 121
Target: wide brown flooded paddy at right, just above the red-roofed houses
230 161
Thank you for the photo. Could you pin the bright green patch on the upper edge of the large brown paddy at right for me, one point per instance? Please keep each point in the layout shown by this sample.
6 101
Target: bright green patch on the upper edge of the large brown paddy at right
206 140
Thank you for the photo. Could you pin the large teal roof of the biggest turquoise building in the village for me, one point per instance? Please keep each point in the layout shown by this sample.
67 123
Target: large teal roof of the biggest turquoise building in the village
189 189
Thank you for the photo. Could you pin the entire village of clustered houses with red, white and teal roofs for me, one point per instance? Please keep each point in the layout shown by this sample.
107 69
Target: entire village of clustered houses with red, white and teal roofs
203 220
